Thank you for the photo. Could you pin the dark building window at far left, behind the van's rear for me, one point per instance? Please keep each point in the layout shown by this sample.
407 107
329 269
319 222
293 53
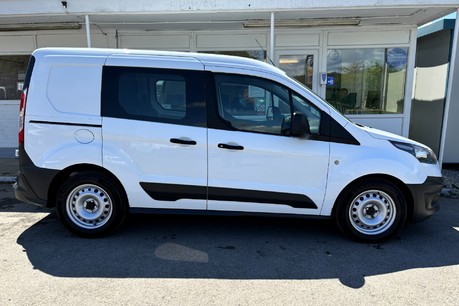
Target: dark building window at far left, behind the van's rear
12 75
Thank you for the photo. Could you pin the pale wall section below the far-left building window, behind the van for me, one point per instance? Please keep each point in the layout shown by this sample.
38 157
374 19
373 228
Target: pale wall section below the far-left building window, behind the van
9 112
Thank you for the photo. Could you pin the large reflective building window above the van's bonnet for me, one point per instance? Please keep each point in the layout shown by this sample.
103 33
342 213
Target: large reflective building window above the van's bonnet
367 81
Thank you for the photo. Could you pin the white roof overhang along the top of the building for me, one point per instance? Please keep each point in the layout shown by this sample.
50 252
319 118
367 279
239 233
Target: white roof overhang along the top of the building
217 15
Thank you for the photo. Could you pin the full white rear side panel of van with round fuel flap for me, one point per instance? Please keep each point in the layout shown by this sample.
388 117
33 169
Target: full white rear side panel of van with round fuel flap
63 124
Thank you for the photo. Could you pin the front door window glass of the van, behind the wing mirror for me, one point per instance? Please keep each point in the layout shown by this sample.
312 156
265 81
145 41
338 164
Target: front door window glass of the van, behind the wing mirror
253 104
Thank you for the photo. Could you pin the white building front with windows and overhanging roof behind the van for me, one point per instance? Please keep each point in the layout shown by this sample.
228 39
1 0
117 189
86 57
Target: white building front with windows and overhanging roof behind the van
359 55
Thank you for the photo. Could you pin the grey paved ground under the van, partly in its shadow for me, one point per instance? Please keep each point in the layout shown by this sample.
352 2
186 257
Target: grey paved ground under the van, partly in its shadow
172 260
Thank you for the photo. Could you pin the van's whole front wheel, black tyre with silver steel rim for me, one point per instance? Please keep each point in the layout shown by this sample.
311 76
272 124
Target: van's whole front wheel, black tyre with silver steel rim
371 211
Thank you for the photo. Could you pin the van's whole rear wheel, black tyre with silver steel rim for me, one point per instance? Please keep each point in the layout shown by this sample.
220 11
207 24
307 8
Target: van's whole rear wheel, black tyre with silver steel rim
91 204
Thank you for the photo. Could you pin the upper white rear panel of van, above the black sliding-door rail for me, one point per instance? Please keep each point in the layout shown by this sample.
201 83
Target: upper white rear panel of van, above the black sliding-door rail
67 88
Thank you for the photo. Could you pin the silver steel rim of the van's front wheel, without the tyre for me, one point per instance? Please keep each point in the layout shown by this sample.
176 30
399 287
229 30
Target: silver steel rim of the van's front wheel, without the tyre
372 212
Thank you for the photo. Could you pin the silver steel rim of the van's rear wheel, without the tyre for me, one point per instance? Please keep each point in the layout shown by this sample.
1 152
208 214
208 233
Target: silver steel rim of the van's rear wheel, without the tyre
89 206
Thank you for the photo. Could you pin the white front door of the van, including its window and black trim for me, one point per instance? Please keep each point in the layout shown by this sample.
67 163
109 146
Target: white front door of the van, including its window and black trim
254 165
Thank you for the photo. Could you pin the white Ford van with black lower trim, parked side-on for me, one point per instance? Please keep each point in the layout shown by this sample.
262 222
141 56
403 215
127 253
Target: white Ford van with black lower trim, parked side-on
107 132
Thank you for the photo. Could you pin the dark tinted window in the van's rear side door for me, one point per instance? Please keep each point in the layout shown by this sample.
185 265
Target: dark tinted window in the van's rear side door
158 95
